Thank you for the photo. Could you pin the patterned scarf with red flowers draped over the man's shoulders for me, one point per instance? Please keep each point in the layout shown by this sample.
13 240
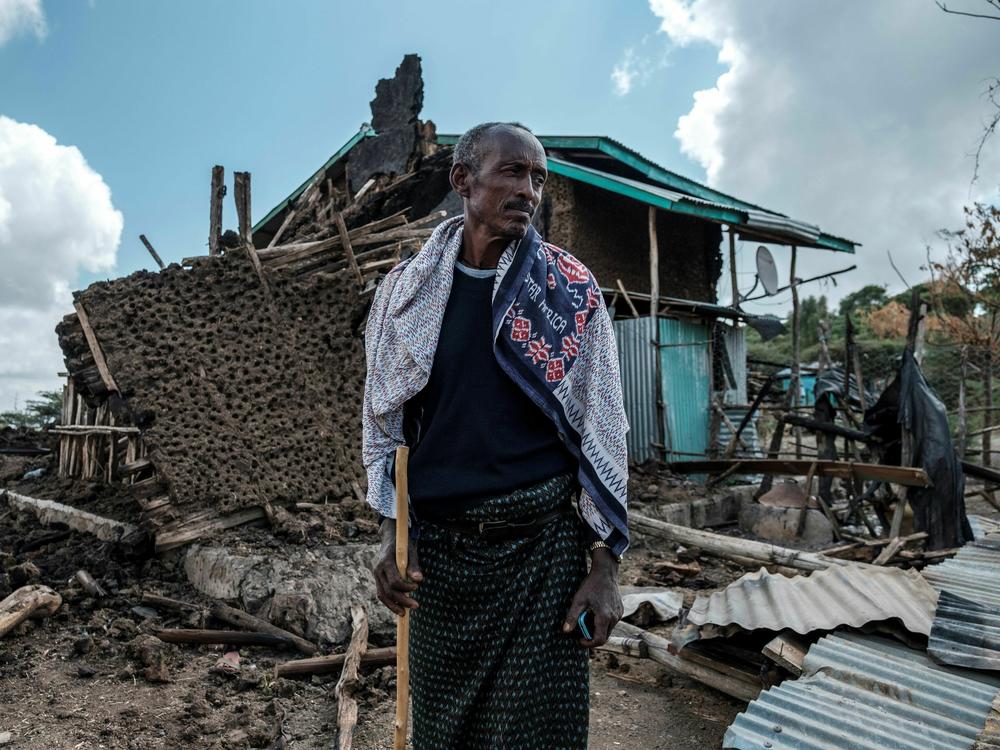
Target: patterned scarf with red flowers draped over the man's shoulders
552 336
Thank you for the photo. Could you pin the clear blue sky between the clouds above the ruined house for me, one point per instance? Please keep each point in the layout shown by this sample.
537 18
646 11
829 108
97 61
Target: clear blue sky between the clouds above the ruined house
154 94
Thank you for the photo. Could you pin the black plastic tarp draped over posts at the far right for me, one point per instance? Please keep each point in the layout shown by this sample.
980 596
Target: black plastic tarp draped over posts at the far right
909 402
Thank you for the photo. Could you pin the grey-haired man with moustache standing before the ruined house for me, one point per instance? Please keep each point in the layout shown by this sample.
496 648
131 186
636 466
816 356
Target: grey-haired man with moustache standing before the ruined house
491 354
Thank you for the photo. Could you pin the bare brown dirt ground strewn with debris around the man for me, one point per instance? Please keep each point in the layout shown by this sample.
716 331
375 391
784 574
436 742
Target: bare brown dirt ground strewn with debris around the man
92 676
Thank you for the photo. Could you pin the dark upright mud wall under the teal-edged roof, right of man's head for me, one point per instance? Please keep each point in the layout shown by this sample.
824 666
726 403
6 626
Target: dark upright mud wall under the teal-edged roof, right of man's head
610 234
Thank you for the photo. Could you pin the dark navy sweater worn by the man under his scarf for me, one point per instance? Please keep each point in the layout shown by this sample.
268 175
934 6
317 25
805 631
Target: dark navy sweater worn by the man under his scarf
474 433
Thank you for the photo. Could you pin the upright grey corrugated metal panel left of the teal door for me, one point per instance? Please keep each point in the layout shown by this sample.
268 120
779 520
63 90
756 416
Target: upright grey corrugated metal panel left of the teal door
637 360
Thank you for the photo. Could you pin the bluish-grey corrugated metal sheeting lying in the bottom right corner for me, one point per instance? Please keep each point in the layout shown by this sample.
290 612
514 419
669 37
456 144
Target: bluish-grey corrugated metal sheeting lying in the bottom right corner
868 693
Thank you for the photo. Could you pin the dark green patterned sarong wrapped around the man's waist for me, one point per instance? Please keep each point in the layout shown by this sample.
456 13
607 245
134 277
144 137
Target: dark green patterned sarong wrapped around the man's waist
490 667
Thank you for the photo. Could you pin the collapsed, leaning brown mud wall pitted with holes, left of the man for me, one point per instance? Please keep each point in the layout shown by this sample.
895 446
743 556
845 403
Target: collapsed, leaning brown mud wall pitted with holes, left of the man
242 399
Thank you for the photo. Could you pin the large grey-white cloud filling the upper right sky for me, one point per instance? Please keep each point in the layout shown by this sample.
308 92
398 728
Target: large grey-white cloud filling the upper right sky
857 116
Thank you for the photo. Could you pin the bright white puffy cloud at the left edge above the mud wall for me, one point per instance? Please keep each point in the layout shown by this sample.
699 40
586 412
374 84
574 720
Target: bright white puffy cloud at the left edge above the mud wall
56 219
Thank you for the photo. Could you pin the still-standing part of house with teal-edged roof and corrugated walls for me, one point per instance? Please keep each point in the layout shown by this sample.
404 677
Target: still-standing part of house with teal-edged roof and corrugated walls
609 205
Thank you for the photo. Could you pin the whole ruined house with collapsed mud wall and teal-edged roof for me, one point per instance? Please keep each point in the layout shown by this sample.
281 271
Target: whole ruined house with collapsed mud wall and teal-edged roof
227 389
